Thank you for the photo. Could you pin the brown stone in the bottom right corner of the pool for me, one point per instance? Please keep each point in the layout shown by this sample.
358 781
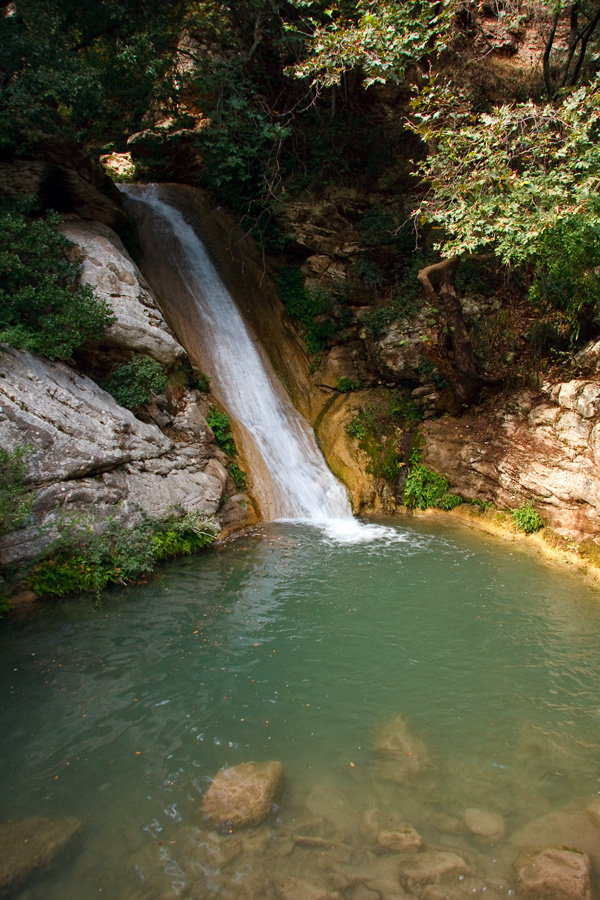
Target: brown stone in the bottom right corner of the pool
554 873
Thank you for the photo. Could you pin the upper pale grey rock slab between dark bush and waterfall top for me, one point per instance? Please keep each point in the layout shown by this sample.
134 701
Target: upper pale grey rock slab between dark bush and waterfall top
109 269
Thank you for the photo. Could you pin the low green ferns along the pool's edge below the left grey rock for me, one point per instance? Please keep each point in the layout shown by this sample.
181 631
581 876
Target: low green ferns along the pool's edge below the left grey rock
86 557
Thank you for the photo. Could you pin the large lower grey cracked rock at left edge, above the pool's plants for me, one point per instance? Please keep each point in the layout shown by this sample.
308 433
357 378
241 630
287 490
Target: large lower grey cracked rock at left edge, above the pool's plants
89 454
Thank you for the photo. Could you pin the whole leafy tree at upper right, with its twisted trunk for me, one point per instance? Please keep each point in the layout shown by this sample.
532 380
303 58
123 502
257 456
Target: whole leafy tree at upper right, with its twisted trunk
503 181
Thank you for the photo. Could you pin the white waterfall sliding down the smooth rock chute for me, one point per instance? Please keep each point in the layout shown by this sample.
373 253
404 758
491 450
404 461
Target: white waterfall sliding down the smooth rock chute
300 485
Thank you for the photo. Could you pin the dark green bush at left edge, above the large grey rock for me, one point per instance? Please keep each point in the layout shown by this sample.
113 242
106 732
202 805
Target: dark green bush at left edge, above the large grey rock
43 308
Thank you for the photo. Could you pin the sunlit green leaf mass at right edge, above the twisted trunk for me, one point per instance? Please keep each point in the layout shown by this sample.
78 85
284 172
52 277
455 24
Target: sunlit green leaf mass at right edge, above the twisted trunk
505 179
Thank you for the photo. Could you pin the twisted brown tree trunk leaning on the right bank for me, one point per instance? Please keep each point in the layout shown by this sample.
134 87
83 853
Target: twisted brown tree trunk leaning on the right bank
459 368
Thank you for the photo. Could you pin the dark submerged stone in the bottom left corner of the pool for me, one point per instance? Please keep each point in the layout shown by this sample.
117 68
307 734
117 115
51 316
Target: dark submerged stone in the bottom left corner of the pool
31 845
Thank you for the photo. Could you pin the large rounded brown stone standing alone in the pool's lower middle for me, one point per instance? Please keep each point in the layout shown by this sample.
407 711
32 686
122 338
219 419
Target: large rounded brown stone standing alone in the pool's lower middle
243 794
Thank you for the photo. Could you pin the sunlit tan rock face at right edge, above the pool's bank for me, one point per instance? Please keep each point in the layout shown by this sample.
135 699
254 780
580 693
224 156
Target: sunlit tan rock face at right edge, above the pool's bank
544 448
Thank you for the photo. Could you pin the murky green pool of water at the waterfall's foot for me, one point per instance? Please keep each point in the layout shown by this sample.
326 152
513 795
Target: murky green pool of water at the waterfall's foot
287 645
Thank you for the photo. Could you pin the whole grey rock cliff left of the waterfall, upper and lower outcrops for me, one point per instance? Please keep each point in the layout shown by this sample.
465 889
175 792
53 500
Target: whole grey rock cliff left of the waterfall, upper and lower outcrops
88 456
